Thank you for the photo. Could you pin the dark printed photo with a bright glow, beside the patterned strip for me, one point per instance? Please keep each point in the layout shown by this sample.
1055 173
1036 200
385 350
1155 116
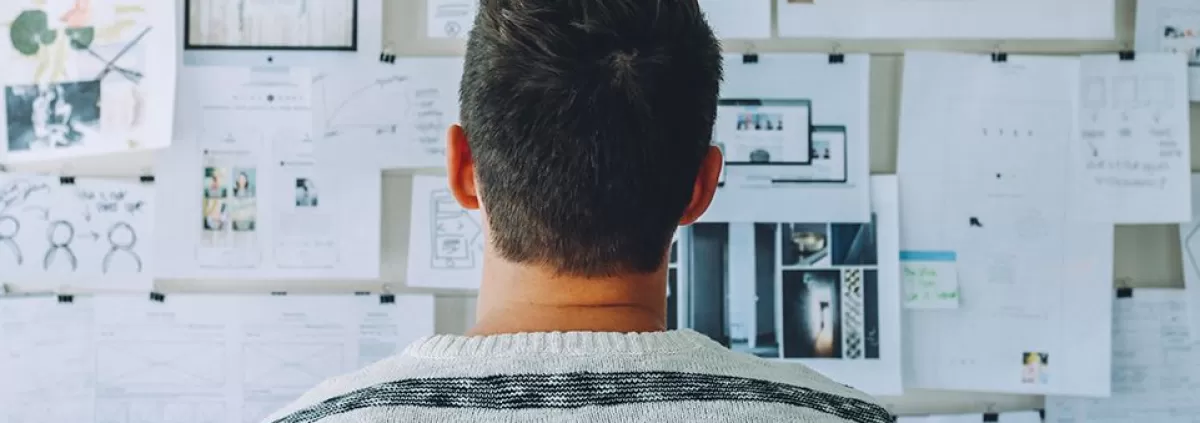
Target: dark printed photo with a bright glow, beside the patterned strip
812 314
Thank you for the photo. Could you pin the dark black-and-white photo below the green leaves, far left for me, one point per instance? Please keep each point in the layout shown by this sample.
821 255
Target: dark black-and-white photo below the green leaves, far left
52 116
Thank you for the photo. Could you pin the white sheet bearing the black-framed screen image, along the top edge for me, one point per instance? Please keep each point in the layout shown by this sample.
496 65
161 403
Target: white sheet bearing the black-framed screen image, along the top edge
293 16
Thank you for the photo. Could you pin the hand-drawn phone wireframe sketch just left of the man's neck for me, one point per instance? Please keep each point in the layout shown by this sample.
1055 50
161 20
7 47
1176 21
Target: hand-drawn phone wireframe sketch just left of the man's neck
458 236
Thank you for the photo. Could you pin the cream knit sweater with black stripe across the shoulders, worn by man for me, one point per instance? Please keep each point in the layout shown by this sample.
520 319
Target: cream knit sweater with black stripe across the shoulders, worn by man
662 378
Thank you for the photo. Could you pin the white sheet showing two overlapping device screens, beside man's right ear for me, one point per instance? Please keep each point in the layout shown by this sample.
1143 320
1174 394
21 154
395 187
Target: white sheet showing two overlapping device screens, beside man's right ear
796 148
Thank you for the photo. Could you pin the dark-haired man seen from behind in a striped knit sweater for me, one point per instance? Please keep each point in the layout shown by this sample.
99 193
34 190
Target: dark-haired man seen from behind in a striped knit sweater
585 142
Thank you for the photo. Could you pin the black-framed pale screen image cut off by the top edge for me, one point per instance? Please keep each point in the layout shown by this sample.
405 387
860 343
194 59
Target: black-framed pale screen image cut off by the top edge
272 26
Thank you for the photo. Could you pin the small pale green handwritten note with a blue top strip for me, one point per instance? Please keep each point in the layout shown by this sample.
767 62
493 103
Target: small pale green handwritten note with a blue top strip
931 279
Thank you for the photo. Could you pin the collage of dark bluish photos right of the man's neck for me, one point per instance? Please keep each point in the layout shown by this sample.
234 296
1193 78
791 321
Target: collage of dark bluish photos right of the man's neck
791 291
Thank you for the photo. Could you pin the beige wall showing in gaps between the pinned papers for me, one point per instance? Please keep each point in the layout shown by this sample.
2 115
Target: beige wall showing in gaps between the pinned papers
1145 255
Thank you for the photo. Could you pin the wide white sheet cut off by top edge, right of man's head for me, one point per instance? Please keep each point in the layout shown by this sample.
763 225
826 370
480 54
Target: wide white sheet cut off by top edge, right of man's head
994 20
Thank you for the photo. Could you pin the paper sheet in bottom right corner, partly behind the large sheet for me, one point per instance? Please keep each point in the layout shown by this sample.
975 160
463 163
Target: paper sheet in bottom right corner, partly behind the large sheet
1156 366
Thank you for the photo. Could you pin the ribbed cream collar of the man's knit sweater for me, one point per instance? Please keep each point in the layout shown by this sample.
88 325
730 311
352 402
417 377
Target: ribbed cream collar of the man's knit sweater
560 344
